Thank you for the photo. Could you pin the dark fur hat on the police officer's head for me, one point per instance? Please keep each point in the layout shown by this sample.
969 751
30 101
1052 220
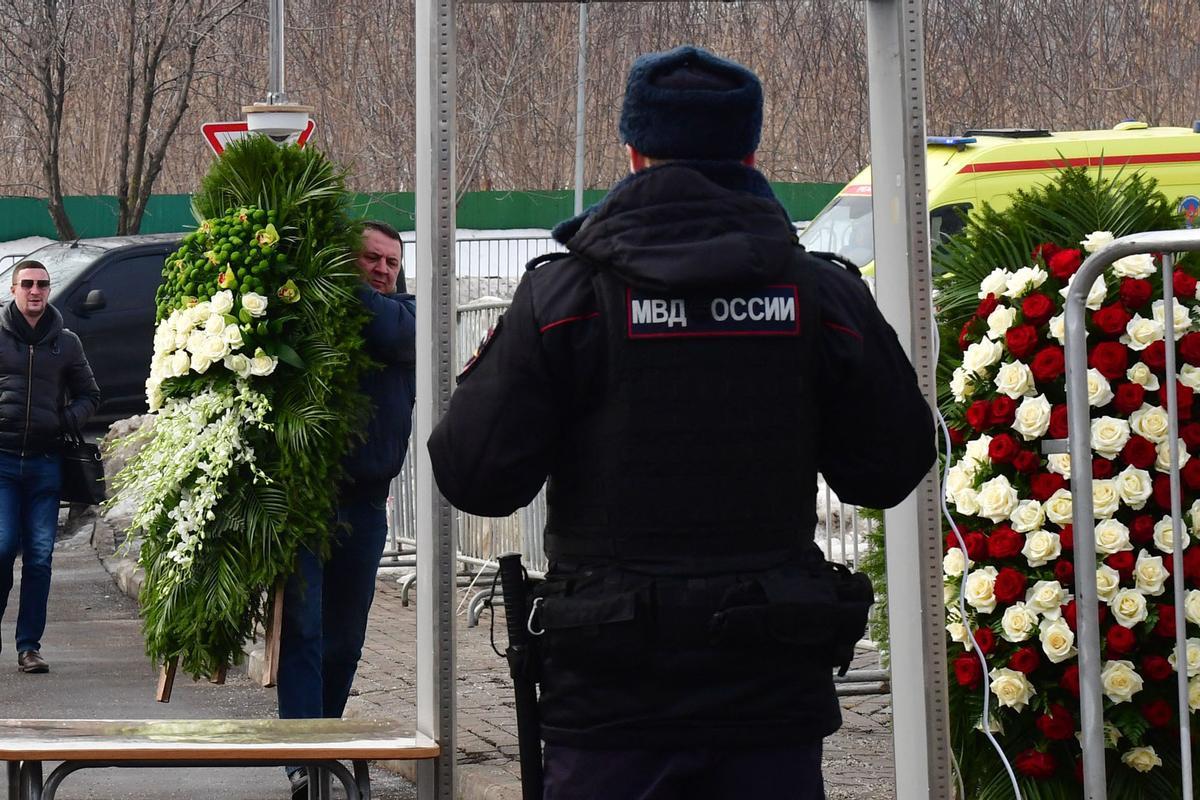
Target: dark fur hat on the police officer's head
689 104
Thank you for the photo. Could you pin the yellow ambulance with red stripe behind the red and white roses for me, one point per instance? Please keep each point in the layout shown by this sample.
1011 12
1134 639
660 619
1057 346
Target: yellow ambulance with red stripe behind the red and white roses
987 166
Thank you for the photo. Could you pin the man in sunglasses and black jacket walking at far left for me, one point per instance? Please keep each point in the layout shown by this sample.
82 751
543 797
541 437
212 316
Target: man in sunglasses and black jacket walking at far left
46 389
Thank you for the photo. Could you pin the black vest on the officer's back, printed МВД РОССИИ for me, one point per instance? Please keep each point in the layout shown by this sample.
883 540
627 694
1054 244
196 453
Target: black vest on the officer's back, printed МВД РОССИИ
701 452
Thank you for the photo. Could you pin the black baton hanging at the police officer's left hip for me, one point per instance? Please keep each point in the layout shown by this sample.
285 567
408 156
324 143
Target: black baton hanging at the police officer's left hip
525 685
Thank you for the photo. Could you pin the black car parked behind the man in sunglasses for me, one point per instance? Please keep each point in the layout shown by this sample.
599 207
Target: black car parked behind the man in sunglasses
105 290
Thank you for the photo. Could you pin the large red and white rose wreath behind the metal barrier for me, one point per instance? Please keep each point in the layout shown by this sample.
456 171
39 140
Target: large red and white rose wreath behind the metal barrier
1003 288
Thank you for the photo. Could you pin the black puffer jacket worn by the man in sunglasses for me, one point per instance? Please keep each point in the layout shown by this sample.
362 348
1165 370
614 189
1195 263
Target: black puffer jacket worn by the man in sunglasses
46 384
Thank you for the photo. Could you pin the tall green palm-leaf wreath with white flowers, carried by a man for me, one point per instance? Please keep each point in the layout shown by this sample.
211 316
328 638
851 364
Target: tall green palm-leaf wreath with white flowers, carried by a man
255 392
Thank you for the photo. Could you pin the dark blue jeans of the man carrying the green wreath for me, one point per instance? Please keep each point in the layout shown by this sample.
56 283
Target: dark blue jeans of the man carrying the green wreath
326 613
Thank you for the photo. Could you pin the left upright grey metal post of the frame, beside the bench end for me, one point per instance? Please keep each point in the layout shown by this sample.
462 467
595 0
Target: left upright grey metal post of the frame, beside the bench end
436 536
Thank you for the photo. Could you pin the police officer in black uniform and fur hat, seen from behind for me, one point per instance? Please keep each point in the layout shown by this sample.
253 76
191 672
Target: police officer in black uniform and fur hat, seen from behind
682 376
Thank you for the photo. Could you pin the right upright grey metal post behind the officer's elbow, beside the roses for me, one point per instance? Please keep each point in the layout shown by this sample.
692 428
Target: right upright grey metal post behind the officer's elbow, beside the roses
896 74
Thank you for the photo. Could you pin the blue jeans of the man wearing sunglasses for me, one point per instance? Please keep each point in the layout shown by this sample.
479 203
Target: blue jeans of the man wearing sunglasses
29 519
